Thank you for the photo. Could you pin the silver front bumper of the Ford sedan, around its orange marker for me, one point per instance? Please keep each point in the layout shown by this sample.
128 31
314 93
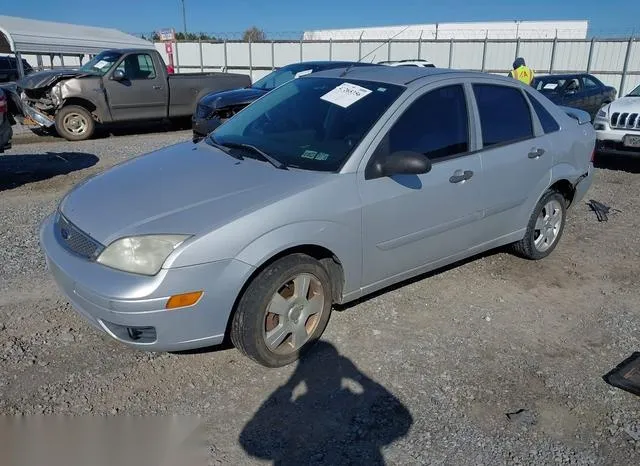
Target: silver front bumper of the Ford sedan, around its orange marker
131 308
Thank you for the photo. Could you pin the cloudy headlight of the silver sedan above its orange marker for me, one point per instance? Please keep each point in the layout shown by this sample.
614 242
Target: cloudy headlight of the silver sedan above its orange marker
140 254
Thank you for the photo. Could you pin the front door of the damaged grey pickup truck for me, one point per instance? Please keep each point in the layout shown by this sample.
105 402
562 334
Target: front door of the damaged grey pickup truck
142 94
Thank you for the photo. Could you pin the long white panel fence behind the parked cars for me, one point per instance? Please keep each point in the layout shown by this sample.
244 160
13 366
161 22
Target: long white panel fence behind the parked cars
614 61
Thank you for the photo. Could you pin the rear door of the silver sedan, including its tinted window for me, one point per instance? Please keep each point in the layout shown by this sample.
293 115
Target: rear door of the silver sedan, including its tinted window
516 157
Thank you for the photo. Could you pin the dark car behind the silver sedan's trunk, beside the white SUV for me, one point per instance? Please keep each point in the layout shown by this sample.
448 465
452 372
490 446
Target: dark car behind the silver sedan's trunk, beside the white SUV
583 91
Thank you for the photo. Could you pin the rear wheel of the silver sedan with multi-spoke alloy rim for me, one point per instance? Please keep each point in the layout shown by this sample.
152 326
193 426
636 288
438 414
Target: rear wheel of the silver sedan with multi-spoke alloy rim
532 246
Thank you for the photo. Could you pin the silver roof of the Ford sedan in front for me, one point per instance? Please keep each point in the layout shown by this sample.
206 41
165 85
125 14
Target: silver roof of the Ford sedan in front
400 75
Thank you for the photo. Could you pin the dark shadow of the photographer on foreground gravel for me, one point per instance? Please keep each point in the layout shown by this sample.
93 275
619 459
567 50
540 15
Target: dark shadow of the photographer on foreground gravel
328 412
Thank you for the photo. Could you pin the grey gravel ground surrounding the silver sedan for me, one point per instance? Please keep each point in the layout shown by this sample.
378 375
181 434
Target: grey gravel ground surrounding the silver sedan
494 361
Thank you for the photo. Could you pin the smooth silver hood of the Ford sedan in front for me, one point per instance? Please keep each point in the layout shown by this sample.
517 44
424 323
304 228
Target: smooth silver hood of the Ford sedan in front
183 189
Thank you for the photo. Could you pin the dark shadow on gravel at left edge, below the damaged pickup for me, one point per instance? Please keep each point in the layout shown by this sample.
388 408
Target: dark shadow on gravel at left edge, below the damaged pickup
17 170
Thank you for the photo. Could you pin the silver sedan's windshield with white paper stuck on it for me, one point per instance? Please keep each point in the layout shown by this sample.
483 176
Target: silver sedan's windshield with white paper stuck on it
310 123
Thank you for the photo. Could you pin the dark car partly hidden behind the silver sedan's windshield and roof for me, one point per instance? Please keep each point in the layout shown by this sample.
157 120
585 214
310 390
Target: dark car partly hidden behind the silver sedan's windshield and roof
214 108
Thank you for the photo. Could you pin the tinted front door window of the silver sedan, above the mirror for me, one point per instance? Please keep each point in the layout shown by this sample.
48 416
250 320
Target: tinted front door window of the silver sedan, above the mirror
435 125
